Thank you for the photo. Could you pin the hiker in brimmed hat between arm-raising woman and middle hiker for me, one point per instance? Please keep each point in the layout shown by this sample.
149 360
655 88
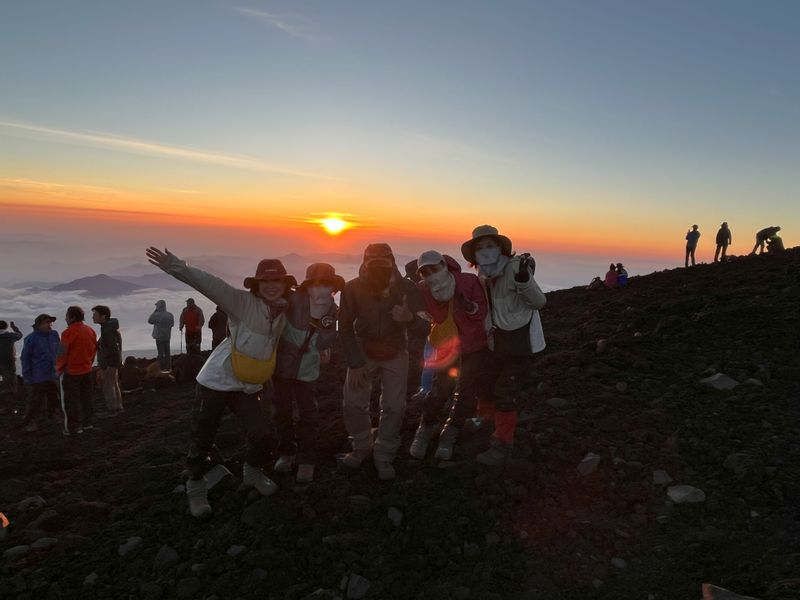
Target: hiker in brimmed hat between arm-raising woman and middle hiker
305 345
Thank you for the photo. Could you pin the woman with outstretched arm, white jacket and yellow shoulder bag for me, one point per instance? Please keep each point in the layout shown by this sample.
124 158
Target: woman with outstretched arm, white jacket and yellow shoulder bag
237 370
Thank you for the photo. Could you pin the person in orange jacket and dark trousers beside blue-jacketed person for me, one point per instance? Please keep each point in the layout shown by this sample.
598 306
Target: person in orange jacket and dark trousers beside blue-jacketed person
74 364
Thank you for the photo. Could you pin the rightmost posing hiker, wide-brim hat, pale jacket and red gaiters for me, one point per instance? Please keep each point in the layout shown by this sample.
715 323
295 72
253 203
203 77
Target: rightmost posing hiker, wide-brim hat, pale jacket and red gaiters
514 328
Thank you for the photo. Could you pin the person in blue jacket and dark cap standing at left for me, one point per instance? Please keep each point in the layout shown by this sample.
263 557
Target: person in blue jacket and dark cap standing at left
39 352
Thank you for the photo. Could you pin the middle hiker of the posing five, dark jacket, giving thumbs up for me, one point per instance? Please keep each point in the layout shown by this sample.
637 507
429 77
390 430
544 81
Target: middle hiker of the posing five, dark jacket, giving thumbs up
378 307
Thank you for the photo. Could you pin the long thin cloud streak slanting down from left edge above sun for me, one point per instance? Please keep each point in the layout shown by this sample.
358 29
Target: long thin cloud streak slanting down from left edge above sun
146 147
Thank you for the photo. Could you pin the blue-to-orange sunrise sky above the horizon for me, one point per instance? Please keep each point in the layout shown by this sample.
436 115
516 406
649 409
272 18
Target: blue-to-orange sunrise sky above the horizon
580 129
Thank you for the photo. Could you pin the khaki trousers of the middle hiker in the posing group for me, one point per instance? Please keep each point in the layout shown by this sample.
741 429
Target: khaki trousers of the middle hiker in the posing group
393 376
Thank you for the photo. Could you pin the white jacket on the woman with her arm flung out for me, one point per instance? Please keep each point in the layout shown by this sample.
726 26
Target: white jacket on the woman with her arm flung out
249 319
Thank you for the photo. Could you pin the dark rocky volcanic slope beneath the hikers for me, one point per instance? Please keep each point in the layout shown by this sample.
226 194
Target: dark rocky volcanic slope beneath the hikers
621 378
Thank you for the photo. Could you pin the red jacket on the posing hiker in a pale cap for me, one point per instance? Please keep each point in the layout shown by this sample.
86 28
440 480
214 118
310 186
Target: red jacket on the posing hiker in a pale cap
471 329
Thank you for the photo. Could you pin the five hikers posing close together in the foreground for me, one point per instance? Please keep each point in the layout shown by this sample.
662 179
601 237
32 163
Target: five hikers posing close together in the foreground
484 329
